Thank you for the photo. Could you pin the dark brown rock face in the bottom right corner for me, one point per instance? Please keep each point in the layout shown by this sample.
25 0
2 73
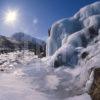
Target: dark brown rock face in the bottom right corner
95 88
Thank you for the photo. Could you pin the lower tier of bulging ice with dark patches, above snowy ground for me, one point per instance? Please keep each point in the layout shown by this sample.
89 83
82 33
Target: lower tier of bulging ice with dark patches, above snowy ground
68 53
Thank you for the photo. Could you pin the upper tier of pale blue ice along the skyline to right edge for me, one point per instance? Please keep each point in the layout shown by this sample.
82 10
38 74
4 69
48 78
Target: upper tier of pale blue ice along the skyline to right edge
87 16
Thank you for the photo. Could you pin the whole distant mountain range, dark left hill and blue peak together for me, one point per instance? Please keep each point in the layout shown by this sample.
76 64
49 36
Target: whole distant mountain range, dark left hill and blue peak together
22 41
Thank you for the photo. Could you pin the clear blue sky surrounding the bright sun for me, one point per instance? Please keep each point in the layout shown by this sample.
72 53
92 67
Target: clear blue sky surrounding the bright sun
36 16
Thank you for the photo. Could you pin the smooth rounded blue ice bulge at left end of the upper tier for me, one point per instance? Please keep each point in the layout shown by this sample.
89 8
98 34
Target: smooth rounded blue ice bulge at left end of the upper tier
58 31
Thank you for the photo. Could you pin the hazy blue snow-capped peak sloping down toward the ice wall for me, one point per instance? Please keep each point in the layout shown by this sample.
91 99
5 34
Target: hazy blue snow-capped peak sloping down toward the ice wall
37 45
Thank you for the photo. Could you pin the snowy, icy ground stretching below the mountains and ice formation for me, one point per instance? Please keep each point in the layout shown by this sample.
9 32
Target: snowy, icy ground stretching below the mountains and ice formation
26 77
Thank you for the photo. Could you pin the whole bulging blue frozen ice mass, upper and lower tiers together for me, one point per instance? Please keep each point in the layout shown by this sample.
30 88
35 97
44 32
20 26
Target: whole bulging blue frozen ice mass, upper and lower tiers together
67 35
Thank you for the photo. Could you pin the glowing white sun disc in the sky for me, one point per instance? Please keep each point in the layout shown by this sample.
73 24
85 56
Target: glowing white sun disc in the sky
11 16
